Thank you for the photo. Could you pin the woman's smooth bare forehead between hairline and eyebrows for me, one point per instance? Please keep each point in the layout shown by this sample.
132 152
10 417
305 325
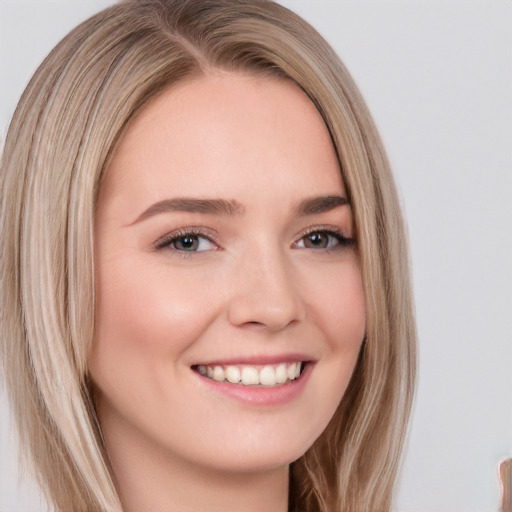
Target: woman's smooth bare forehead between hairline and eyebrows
224 135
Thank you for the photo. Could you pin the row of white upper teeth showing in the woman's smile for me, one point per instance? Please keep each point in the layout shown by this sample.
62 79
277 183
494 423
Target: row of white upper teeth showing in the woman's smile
268 375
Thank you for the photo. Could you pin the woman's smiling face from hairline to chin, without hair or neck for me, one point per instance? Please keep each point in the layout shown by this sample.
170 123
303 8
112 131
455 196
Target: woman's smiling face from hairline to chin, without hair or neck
224 267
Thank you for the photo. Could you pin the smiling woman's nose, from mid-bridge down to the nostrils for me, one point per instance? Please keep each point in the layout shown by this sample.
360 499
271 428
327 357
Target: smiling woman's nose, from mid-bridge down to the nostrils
265 292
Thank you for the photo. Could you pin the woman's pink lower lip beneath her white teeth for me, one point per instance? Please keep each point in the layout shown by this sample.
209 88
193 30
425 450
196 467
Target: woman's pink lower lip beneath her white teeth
261 395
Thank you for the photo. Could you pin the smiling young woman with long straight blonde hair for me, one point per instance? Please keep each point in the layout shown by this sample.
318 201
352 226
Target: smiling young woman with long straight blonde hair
204 296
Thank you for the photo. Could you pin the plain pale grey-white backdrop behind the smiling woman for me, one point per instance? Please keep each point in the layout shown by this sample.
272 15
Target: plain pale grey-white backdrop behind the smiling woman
437 76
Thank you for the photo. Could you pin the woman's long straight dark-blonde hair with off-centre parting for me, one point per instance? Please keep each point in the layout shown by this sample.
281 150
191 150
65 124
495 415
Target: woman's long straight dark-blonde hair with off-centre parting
57 148
